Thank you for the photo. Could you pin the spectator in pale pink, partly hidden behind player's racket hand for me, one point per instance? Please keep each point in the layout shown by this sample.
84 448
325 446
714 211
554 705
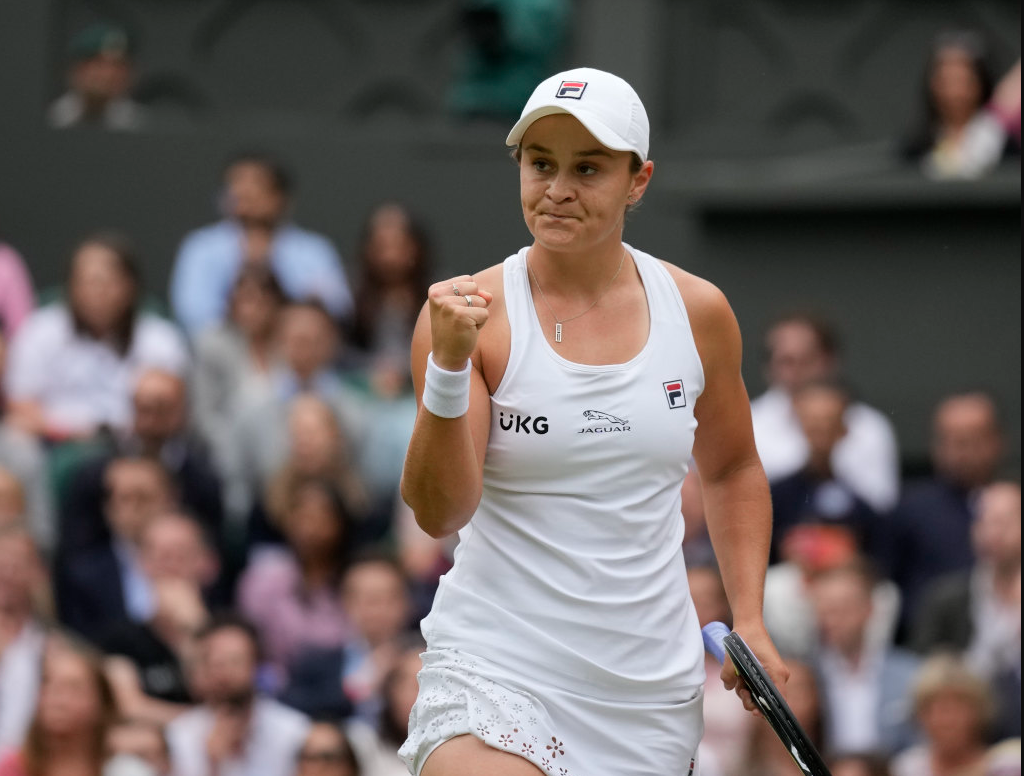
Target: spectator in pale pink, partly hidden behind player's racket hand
728 726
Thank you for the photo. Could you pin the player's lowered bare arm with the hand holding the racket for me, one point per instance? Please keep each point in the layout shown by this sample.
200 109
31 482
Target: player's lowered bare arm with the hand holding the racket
738 503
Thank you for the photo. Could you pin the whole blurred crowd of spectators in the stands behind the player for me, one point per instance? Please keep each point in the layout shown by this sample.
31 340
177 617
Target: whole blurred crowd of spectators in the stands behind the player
205 568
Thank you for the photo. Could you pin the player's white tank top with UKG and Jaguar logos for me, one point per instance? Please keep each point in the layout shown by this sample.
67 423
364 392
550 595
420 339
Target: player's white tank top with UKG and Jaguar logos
572 570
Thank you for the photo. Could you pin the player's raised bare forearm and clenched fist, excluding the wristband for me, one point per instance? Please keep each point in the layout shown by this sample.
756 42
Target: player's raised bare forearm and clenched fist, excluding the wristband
443 479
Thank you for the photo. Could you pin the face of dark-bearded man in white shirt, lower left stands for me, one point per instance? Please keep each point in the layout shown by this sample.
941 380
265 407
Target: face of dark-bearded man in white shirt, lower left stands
228 667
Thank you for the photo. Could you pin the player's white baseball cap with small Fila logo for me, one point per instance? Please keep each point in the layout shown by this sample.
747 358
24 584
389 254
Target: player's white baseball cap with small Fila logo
605 104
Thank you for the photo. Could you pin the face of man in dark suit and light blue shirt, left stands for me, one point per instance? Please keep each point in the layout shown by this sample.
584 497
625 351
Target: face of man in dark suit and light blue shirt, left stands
138 490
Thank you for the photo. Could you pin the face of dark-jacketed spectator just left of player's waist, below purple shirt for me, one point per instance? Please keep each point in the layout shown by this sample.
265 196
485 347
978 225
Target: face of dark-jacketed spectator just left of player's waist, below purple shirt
376 598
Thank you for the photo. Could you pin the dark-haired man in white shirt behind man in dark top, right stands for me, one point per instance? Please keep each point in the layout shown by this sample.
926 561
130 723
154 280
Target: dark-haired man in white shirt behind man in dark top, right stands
802 349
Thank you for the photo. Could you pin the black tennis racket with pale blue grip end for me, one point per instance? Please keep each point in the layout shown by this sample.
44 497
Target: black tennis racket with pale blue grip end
719 641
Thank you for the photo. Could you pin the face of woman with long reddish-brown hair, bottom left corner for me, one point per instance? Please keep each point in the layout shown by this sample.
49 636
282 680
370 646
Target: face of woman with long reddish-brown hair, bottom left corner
71 698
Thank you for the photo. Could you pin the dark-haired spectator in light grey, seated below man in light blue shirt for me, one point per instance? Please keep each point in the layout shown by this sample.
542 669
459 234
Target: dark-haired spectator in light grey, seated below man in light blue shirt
235 359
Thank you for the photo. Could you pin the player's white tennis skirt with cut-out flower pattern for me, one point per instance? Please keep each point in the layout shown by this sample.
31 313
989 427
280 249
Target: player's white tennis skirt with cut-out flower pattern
560 731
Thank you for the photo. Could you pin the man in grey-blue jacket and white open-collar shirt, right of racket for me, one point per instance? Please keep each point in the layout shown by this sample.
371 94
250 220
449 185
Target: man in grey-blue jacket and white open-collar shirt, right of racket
866 687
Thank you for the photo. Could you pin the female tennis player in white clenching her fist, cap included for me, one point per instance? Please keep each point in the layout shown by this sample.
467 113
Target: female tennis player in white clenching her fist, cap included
563 394
